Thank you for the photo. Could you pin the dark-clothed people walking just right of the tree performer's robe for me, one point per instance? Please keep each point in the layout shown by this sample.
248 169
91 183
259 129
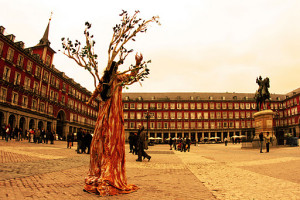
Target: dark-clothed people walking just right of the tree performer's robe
138 144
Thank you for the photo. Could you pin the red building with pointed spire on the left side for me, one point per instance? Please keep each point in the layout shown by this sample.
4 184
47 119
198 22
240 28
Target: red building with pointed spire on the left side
34 94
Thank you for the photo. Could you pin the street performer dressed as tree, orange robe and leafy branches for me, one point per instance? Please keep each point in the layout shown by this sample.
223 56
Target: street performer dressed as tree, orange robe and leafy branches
107 157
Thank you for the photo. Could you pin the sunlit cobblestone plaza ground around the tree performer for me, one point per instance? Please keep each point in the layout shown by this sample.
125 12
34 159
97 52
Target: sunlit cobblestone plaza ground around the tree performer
209 171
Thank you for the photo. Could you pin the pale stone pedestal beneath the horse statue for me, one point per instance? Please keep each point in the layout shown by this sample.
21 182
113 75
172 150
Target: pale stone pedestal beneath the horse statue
263 122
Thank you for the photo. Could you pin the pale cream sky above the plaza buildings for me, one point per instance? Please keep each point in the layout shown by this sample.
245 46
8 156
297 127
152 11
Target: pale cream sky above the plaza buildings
201 46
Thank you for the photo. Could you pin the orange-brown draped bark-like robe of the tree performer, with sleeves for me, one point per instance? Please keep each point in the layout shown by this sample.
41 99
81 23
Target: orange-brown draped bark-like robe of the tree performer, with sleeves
107 157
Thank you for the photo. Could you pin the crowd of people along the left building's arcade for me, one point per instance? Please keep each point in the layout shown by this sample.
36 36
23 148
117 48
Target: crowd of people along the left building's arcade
32 135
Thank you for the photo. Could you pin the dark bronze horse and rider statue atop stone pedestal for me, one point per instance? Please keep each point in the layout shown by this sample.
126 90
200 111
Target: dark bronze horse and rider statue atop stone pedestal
262 94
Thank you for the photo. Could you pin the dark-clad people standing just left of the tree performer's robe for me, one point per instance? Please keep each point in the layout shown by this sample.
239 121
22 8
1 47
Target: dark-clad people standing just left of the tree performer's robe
84 140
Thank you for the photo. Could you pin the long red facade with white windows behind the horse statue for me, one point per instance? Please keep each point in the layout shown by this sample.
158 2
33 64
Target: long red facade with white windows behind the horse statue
207 115
